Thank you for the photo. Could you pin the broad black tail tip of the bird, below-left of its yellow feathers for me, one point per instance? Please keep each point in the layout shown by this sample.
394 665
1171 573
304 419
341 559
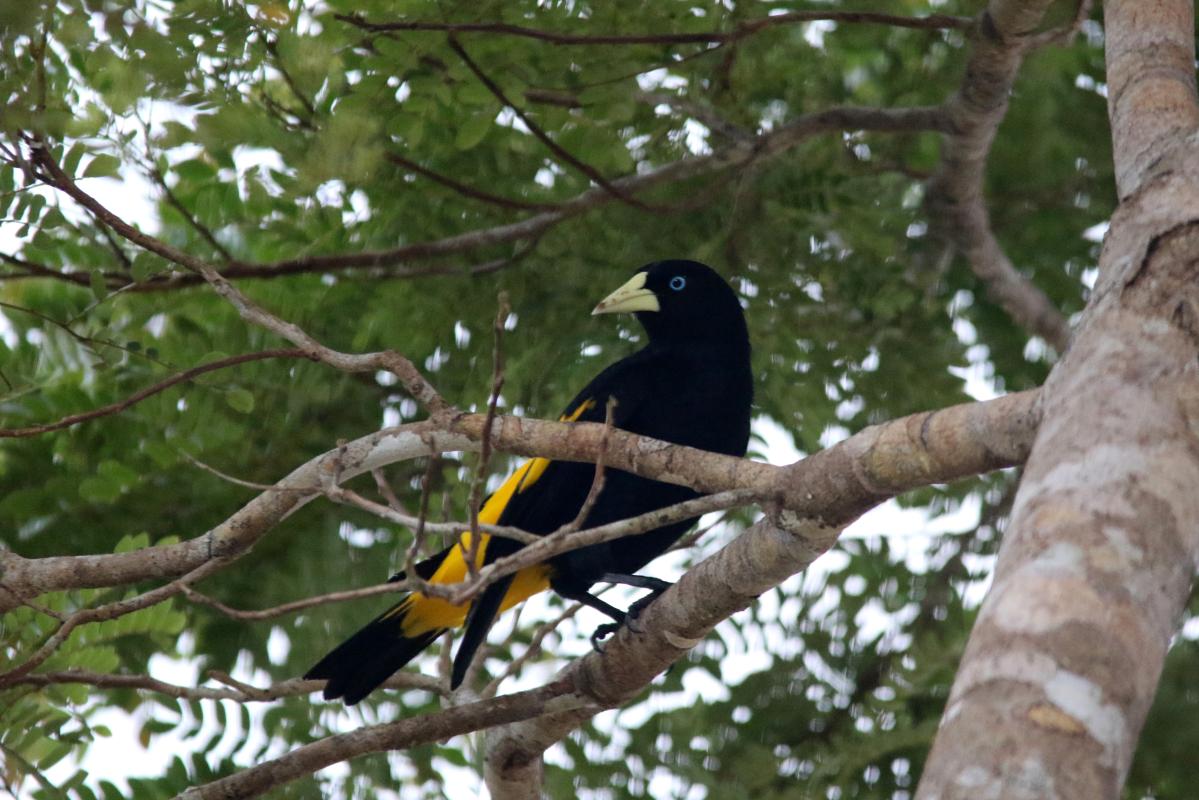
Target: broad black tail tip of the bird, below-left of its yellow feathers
363 663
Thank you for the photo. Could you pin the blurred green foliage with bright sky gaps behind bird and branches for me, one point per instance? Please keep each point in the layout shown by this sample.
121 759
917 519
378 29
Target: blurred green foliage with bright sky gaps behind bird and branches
278 128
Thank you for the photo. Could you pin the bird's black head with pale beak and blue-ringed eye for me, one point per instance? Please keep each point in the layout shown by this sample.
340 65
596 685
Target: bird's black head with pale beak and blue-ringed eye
680 300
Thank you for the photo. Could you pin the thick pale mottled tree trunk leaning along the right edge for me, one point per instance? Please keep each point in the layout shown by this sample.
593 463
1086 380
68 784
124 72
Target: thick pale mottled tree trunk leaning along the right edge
1099 561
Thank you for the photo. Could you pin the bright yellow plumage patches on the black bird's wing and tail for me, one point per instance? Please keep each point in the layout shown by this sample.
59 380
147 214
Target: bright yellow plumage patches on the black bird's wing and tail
423 615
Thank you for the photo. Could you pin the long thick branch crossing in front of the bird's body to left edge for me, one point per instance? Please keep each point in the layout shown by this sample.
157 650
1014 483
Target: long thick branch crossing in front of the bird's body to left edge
1002 429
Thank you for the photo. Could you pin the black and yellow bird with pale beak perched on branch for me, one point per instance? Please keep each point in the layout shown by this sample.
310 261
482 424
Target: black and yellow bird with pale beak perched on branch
690 384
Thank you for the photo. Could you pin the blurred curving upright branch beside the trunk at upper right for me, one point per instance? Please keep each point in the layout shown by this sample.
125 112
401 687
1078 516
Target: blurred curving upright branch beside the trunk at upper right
955 196
